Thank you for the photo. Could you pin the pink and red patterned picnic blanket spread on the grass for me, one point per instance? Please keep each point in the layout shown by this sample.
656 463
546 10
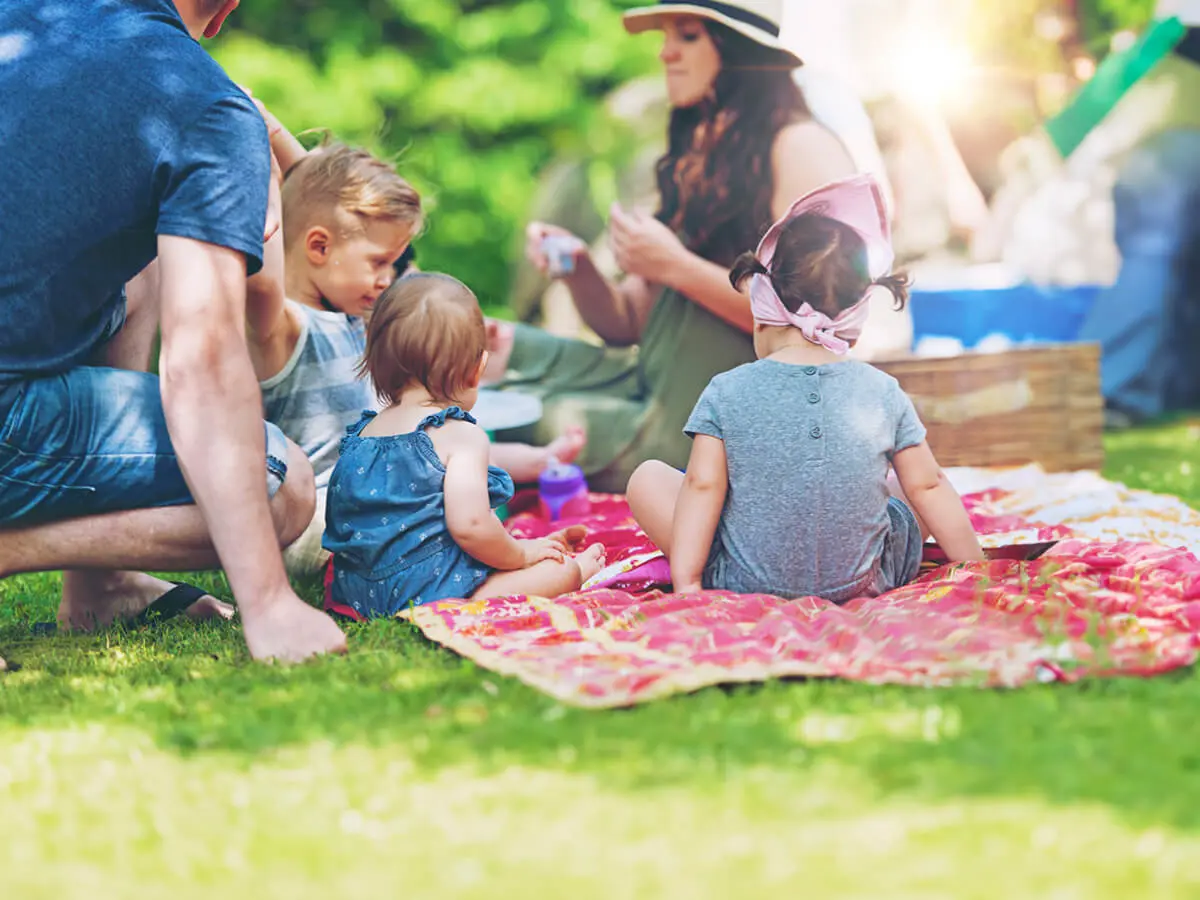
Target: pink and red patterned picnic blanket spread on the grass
1119 593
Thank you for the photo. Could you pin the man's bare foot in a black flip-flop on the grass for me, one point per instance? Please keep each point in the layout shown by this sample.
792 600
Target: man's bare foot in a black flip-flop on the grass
95 599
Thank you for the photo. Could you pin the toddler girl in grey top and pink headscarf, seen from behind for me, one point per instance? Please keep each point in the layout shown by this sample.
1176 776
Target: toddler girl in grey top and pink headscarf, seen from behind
789 488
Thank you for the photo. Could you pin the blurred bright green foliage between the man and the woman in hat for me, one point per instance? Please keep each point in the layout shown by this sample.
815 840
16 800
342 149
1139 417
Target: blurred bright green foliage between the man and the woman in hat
471 98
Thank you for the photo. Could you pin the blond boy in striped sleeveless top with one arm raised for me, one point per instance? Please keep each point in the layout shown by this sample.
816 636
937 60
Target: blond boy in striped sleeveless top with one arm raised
349 218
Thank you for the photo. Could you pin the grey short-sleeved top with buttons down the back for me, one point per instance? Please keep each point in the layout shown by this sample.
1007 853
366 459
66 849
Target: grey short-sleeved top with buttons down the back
809 451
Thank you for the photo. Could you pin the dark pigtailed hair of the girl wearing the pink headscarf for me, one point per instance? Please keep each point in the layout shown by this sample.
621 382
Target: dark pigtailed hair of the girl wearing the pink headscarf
821 262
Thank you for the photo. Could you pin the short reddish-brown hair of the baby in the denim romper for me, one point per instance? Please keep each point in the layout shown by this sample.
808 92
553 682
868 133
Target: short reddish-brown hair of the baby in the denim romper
427 329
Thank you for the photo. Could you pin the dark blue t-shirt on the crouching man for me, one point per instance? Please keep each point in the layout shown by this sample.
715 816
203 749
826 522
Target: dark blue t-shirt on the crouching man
116 128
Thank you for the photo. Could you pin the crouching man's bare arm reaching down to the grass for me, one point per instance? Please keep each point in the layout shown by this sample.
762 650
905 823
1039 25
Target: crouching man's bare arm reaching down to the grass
213 407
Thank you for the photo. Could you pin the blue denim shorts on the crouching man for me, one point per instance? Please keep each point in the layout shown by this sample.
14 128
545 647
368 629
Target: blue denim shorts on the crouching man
93 441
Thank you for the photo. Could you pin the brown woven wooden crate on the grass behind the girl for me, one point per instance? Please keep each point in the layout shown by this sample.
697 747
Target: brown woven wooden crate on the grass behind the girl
1031 405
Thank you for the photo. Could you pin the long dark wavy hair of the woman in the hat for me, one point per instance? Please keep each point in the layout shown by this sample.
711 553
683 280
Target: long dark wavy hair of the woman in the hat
716 181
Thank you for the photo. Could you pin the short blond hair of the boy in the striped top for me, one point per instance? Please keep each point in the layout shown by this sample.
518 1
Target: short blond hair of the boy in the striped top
339 179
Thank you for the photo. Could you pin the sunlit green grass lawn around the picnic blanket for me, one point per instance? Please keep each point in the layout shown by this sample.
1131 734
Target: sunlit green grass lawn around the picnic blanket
163 763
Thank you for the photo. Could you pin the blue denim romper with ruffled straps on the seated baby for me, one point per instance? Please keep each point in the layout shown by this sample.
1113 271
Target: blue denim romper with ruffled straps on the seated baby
386 523
